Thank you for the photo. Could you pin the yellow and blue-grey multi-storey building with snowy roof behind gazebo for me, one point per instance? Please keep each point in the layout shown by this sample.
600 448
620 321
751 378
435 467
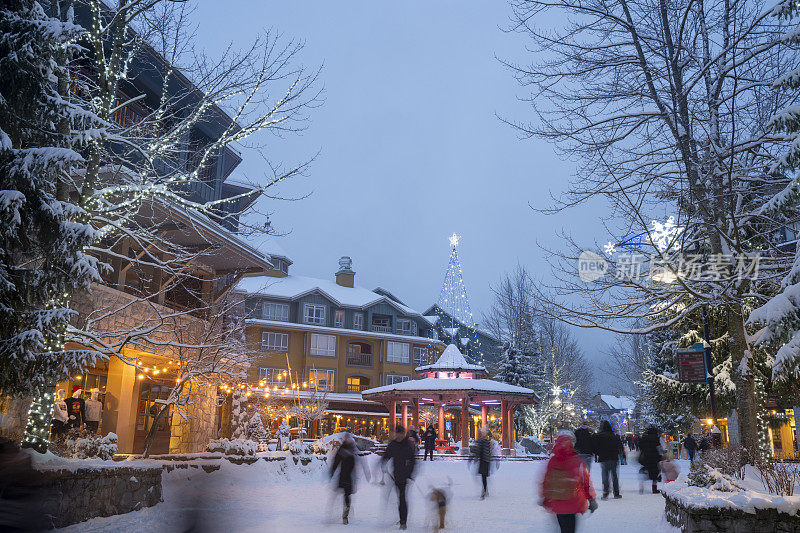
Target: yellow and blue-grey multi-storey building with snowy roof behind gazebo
332 339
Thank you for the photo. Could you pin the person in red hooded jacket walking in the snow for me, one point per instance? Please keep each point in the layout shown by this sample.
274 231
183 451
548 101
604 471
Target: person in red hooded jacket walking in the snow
567 487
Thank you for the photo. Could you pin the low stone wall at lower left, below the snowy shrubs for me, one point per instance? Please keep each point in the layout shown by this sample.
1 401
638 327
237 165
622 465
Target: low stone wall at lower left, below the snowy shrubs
72 496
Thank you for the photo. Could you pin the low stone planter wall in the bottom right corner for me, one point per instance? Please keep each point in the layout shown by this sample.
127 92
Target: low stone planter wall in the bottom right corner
716 520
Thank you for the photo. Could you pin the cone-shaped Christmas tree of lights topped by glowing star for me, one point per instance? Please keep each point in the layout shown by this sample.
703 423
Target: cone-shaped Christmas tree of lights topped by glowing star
454 307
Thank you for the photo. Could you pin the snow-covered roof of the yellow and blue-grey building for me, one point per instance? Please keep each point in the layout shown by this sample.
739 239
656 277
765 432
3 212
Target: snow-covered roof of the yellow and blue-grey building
295 287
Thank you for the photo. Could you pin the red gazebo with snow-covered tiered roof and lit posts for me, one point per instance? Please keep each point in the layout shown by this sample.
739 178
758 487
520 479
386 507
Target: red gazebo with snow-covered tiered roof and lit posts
452 381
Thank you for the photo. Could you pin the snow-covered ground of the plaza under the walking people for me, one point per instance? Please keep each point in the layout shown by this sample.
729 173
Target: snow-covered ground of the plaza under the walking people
271 497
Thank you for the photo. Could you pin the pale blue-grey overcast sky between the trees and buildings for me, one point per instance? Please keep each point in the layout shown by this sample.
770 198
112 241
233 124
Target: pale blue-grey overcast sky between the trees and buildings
410 147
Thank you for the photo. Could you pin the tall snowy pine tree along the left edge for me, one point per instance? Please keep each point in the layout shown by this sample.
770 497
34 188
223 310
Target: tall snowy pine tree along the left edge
43 236
